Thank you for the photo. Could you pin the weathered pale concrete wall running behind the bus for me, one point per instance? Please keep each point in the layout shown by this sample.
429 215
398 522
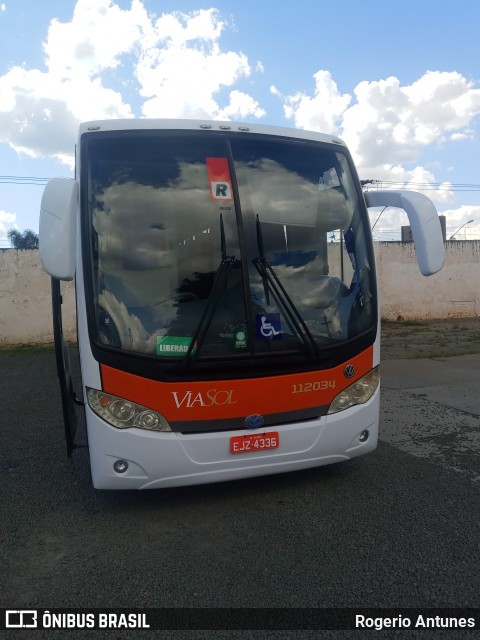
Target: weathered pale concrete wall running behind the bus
25 301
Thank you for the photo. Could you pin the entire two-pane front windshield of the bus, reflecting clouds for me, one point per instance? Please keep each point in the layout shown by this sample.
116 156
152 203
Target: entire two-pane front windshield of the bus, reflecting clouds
216 245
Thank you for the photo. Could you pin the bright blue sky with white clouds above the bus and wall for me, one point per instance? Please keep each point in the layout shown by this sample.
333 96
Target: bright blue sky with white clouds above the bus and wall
398 82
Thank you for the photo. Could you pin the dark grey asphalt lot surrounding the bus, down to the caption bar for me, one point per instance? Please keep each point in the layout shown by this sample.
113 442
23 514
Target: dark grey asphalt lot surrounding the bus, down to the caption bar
398 528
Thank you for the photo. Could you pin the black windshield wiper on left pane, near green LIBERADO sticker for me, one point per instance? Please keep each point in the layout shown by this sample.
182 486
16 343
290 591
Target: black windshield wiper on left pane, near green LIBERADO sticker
221 279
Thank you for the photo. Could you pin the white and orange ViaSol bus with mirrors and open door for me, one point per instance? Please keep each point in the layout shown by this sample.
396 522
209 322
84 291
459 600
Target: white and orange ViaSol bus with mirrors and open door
227 311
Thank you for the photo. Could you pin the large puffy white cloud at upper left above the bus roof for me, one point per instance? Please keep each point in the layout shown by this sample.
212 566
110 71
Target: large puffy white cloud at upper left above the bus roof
174 64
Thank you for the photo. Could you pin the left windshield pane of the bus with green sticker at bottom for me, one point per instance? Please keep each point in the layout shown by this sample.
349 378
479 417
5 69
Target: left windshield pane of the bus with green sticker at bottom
157 244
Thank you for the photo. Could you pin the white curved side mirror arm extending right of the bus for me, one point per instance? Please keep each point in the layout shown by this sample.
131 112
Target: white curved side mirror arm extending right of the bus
424 222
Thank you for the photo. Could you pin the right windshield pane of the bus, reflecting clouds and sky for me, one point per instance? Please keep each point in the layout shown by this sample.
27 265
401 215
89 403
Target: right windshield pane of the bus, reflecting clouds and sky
302 196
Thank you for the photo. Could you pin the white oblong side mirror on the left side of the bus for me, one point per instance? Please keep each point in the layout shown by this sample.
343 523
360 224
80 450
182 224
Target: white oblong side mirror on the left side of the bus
57 228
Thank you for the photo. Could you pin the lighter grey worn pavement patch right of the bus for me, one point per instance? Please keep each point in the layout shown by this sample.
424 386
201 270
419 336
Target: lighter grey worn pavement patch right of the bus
431 409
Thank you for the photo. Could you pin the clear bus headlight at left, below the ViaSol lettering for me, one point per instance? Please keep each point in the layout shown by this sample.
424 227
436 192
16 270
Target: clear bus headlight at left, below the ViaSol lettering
124 414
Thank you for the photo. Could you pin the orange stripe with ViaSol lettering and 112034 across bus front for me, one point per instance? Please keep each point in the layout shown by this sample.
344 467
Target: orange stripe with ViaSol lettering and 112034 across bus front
216 399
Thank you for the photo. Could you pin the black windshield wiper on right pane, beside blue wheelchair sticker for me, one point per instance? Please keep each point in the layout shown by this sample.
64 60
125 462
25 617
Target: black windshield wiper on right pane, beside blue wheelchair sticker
271 282
